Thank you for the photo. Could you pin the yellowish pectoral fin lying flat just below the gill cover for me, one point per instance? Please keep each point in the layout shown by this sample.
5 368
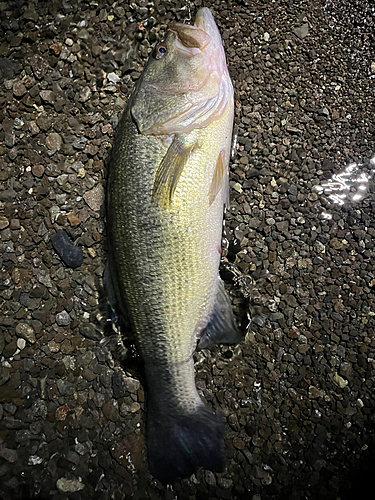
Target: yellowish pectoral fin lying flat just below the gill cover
169 172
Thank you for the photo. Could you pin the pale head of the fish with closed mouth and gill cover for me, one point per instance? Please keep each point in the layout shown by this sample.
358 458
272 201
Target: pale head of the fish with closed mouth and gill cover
185 84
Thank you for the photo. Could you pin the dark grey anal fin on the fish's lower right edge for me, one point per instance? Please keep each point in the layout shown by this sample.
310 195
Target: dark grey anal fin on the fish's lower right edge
221 328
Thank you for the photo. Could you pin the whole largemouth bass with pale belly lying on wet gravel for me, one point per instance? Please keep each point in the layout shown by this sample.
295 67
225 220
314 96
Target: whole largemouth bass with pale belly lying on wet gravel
168 185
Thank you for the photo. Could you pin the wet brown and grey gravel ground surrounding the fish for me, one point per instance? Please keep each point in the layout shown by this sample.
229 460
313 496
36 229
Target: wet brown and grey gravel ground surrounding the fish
298 259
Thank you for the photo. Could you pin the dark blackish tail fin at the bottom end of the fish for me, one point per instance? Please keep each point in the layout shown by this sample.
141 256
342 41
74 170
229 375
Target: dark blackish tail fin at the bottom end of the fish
178 444
